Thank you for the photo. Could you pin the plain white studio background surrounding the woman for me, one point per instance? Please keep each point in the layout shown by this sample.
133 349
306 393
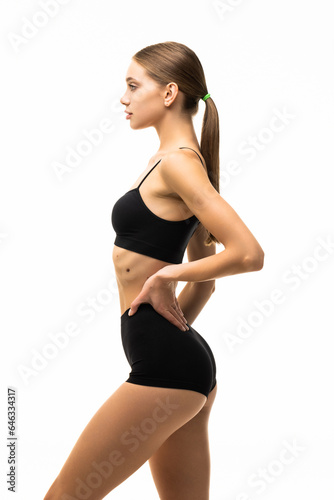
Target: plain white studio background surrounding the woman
275 385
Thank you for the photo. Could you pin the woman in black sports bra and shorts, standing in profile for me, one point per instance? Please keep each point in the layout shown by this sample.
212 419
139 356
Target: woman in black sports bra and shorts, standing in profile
161 412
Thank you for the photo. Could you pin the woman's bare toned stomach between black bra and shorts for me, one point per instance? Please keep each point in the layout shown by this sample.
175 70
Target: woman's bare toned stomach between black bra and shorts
132 270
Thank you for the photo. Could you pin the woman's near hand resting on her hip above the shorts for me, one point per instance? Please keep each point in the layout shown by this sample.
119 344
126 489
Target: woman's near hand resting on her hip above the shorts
160 293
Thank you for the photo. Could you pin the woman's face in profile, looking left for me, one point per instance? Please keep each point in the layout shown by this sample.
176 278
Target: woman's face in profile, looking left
143 97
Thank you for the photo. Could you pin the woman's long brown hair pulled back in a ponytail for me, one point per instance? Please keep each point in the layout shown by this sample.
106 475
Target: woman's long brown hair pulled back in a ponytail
173 61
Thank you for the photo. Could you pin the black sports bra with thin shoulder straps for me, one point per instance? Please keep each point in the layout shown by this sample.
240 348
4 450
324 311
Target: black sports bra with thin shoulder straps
140 230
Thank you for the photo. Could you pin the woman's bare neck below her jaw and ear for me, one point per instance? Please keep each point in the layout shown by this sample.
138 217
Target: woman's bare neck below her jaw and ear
175 132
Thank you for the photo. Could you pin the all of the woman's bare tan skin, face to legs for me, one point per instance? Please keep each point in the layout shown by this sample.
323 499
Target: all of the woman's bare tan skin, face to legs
178 450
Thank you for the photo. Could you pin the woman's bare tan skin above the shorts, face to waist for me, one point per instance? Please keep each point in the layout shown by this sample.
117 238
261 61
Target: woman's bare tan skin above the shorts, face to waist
168 193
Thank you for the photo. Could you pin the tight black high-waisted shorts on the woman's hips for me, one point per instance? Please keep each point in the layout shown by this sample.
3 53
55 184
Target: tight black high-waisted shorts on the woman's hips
162 355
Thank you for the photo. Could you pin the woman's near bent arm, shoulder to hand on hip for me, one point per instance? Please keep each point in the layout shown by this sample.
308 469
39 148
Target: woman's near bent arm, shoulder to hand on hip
242 252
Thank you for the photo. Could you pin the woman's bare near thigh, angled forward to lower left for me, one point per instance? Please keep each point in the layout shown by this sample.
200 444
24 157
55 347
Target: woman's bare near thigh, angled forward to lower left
127 429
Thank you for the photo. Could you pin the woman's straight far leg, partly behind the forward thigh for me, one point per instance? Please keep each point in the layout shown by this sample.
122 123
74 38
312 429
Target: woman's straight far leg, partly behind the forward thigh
181 466
